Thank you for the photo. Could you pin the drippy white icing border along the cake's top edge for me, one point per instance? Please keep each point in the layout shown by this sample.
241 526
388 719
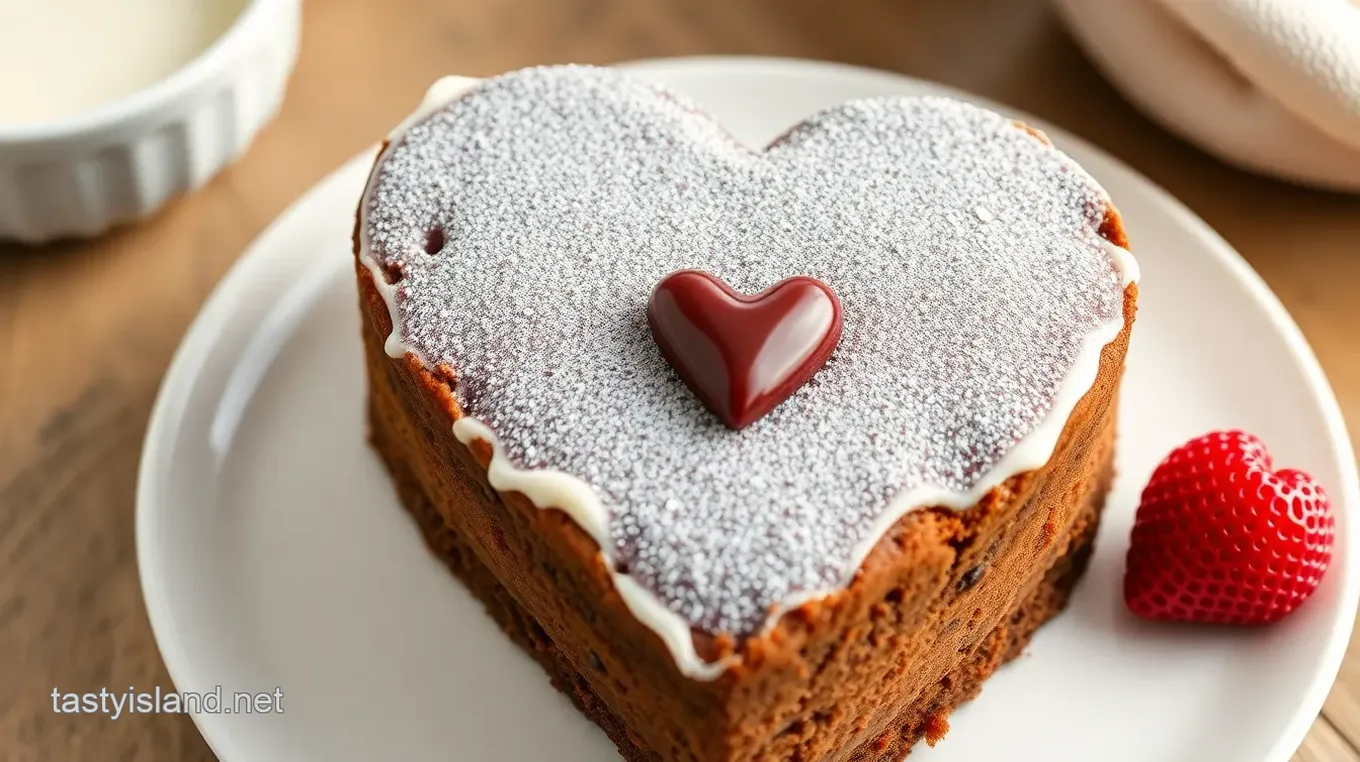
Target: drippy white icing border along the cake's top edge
564 492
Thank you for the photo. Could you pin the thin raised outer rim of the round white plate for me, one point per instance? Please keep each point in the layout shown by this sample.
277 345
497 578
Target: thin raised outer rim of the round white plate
217 310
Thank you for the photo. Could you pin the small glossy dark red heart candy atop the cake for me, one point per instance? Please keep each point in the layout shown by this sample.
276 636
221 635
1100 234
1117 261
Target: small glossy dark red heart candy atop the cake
742 354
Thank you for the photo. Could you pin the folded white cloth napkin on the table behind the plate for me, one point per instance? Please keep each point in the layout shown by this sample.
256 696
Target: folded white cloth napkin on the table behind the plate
1271 86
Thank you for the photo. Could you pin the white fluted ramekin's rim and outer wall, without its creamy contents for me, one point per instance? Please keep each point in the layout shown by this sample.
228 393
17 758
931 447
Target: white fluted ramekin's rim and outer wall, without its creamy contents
80 176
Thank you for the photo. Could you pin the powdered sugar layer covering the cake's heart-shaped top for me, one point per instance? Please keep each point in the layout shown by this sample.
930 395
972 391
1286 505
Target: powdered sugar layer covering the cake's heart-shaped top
965 252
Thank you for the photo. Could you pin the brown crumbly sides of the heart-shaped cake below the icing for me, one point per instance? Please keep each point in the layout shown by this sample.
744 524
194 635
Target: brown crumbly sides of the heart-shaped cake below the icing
866 672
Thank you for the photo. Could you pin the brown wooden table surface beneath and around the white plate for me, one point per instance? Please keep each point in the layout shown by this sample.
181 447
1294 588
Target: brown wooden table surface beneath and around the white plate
88 330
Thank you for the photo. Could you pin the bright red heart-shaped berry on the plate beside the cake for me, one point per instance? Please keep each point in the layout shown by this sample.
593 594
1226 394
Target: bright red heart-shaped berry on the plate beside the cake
1221 538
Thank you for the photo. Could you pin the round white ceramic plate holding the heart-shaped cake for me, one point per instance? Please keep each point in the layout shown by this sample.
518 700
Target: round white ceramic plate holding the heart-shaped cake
275 556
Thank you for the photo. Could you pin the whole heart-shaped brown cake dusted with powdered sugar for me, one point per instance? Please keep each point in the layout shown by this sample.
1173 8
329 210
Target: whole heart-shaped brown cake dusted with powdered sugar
955 447
